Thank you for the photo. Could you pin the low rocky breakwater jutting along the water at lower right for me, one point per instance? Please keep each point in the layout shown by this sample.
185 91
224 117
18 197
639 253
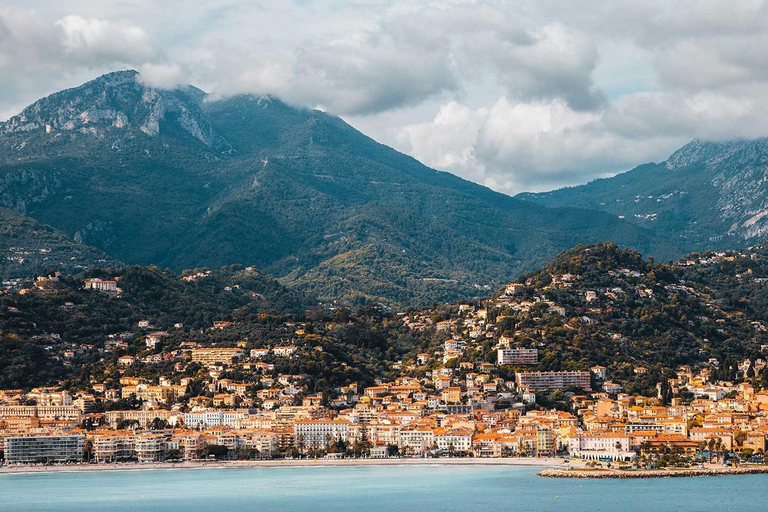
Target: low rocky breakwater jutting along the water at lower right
652 473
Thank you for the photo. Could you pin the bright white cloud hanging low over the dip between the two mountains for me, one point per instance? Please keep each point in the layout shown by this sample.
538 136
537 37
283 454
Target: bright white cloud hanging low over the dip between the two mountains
518 146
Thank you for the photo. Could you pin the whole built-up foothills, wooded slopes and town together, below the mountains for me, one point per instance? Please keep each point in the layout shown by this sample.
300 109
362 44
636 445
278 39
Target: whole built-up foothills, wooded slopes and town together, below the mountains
600 357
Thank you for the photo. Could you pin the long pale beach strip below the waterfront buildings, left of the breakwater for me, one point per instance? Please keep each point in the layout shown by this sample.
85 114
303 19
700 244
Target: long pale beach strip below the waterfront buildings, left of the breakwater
539 462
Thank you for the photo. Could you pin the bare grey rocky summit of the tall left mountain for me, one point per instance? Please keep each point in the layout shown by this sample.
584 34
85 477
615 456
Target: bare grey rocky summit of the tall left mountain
117 102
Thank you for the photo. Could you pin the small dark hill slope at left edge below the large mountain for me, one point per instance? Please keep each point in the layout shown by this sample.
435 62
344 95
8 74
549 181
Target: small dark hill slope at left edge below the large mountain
31 247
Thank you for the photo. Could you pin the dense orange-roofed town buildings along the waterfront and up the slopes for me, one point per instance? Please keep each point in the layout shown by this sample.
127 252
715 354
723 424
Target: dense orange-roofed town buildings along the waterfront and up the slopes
159 396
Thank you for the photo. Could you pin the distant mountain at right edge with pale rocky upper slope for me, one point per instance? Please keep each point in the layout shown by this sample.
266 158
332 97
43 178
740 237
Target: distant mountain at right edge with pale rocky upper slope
706 195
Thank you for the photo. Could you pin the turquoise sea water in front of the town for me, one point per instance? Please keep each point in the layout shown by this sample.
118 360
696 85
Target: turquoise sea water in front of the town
370 489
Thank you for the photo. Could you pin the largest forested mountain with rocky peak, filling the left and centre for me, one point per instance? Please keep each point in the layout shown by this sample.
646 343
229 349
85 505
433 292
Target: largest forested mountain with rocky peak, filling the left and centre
181 180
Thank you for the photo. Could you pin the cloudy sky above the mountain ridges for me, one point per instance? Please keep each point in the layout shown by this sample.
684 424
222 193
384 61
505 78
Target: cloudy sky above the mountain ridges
516 95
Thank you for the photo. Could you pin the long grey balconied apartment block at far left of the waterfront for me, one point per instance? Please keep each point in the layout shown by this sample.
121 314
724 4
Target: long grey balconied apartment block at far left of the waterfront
42 449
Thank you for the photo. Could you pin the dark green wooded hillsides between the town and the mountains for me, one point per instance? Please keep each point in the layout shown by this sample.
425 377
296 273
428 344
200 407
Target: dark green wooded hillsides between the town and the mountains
645 320
